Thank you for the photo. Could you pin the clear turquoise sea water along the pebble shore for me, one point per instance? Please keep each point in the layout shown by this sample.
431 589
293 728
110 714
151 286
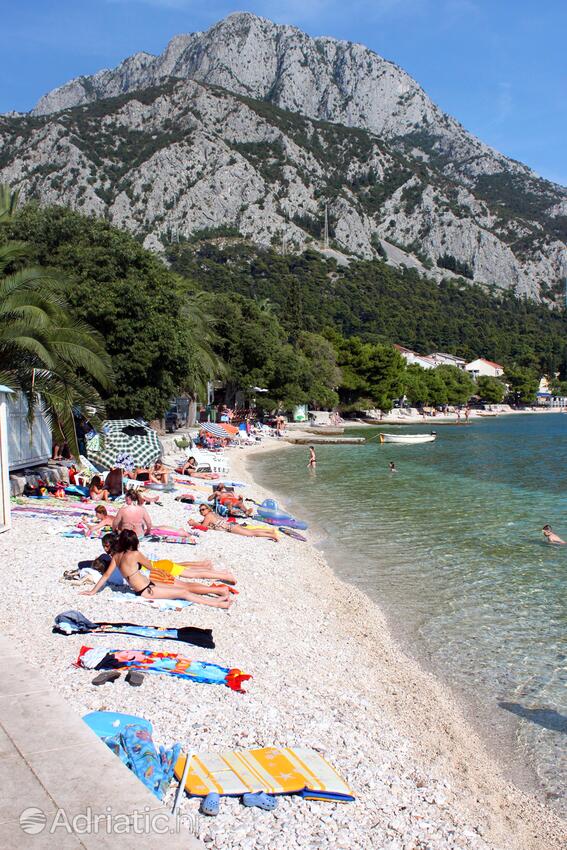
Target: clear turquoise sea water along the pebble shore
450 546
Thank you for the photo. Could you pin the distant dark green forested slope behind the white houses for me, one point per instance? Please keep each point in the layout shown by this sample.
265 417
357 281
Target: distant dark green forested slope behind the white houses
381 304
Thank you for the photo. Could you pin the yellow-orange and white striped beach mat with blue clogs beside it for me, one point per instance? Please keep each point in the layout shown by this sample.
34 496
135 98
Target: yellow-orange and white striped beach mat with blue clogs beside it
290 770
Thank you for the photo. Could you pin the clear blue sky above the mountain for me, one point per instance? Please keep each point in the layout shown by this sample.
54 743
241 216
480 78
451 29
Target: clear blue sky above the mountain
498 66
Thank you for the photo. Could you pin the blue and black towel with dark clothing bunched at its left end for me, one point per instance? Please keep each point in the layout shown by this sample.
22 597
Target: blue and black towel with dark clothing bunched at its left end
73 622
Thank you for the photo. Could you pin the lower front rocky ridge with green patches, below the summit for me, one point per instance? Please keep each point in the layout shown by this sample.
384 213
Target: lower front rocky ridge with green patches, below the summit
185 159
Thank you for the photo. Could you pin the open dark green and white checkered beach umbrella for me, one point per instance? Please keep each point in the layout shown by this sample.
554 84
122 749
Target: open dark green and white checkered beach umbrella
126 443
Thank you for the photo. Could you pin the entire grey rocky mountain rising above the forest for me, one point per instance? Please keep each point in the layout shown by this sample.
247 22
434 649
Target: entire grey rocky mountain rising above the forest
256 128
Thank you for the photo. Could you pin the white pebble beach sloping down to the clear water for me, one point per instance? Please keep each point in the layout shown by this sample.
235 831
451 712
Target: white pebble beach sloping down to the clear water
327 674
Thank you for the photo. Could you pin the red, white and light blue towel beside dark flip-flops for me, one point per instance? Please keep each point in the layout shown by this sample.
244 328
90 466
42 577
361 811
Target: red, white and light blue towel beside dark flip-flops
168 663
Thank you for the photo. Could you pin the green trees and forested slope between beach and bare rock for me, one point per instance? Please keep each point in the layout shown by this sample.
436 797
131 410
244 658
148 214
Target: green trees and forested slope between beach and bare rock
299 327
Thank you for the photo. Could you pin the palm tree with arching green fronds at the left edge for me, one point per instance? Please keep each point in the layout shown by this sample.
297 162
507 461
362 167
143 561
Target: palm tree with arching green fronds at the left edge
54 360
